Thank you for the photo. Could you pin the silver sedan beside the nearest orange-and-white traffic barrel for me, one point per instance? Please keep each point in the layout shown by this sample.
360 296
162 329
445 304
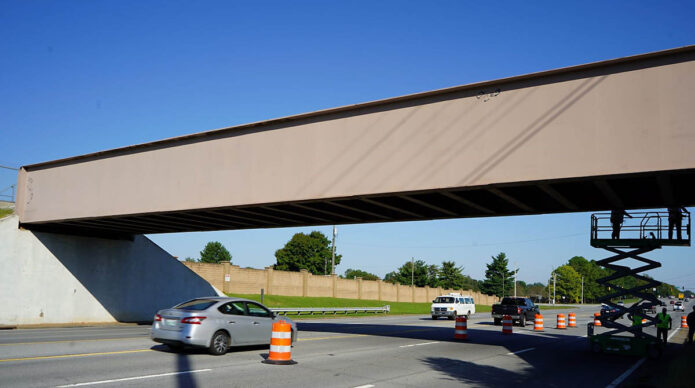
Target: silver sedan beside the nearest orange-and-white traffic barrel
216 323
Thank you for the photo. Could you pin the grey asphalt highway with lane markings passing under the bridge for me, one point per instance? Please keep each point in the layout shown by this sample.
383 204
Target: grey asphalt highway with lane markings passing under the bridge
390 351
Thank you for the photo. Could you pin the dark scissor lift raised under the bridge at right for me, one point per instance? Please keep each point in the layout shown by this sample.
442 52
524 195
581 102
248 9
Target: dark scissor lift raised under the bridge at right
641 234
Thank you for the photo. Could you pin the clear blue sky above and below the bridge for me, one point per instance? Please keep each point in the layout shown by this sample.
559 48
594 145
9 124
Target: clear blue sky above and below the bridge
82 76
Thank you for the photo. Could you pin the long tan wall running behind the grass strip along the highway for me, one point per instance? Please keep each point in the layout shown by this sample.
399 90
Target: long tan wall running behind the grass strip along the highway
235 280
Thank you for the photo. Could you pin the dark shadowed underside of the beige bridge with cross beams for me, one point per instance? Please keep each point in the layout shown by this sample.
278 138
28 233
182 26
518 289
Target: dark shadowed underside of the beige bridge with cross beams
635 191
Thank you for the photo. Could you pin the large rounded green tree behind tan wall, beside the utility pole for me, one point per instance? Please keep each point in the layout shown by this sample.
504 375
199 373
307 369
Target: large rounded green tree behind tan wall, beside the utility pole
306 251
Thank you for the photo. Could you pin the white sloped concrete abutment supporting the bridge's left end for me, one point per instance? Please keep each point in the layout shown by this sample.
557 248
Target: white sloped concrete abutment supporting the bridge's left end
53 279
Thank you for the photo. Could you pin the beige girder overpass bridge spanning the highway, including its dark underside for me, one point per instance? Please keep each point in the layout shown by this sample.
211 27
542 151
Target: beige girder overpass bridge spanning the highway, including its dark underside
611 134
